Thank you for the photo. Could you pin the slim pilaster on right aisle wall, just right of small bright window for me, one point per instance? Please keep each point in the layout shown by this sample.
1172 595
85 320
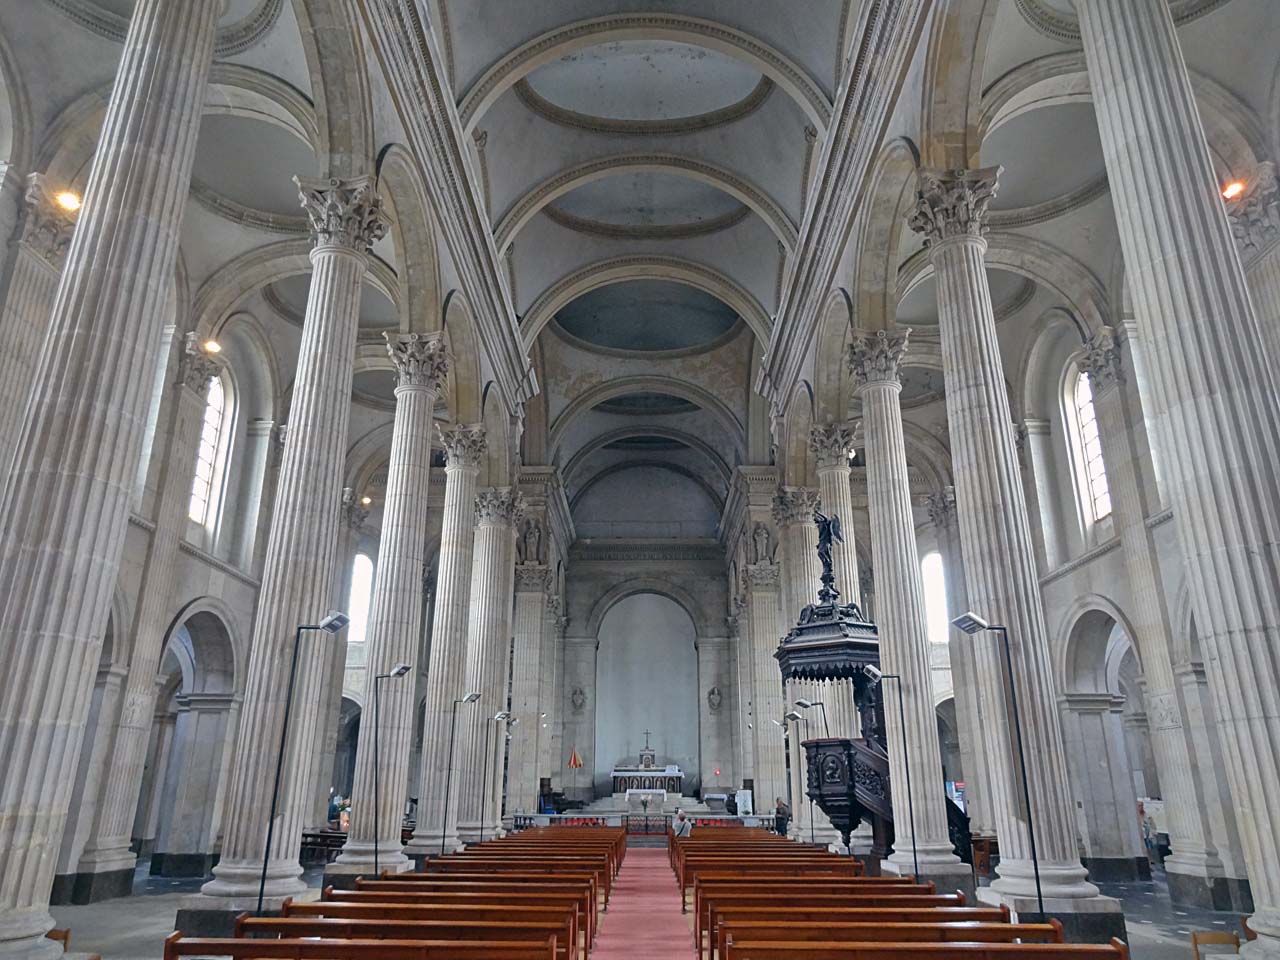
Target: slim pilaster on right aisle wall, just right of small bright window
964 671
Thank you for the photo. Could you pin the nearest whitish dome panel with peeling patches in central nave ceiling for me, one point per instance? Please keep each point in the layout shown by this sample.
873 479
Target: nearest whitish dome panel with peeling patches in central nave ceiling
644 81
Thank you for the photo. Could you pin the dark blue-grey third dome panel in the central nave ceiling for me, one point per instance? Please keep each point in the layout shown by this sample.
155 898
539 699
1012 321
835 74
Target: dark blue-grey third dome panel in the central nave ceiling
647 316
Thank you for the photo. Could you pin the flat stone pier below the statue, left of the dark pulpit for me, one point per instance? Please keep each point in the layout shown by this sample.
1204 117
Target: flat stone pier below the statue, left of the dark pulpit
765 634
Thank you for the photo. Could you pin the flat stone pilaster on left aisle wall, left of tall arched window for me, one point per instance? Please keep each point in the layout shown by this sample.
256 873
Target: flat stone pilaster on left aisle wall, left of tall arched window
108 856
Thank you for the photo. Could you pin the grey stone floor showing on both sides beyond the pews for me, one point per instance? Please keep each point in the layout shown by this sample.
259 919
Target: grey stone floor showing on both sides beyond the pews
135 929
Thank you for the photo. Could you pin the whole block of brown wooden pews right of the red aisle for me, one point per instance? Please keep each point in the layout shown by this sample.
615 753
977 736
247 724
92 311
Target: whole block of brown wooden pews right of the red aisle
764 898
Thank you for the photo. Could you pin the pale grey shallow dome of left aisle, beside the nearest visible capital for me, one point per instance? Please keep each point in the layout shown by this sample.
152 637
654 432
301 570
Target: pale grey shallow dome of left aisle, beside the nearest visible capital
253 163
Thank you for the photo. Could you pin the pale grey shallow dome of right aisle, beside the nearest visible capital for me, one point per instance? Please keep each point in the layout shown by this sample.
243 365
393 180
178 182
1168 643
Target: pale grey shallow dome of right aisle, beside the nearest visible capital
1048 154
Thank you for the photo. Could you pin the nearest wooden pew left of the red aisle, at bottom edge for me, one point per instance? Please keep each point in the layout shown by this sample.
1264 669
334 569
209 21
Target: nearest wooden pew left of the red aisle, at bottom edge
179 947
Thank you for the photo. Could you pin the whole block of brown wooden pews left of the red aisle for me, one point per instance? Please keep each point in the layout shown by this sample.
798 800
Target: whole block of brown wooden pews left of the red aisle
536 895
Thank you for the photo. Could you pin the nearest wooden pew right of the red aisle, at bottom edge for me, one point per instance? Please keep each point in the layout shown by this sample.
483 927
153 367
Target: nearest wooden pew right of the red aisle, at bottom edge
817 950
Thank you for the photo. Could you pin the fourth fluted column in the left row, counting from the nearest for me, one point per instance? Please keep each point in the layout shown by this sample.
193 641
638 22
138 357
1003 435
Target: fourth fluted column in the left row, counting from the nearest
438 790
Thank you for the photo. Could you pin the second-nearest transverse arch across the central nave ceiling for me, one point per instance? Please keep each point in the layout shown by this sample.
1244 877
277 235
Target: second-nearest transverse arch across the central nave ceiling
524 209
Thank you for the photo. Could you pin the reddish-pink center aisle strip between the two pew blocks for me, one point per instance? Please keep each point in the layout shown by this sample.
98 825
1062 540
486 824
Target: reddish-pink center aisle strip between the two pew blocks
644 921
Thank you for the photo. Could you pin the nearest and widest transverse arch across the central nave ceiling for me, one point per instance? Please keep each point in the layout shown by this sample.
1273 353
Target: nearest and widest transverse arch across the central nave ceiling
696 31
